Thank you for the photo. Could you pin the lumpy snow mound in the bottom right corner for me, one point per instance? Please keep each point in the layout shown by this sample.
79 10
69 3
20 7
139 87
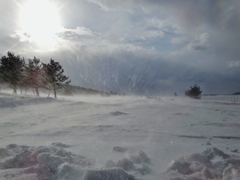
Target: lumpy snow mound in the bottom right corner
211 164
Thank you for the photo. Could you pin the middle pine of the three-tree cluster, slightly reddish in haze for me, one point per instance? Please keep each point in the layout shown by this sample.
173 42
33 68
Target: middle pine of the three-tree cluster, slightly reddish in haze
33 73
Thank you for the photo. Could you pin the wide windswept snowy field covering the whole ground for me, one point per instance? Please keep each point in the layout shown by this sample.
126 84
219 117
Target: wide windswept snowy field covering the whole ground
118 138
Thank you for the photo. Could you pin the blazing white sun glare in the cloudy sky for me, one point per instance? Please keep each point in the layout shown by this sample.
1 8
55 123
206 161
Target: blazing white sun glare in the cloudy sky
39 20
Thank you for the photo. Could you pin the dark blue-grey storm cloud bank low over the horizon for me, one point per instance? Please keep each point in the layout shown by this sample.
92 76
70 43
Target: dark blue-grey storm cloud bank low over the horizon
126 72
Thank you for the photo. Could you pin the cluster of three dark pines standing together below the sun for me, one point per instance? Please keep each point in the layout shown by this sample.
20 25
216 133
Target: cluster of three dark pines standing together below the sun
18 73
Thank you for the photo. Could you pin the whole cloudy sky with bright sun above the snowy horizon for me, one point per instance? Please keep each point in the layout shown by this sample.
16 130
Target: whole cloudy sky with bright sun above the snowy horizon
132 46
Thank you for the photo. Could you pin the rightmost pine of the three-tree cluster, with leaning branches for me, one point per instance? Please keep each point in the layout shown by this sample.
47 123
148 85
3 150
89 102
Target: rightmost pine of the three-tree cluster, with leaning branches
54 77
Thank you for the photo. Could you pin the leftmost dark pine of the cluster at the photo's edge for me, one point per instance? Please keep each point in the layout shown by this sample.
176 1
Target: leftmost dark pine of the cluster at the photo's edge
11 69
